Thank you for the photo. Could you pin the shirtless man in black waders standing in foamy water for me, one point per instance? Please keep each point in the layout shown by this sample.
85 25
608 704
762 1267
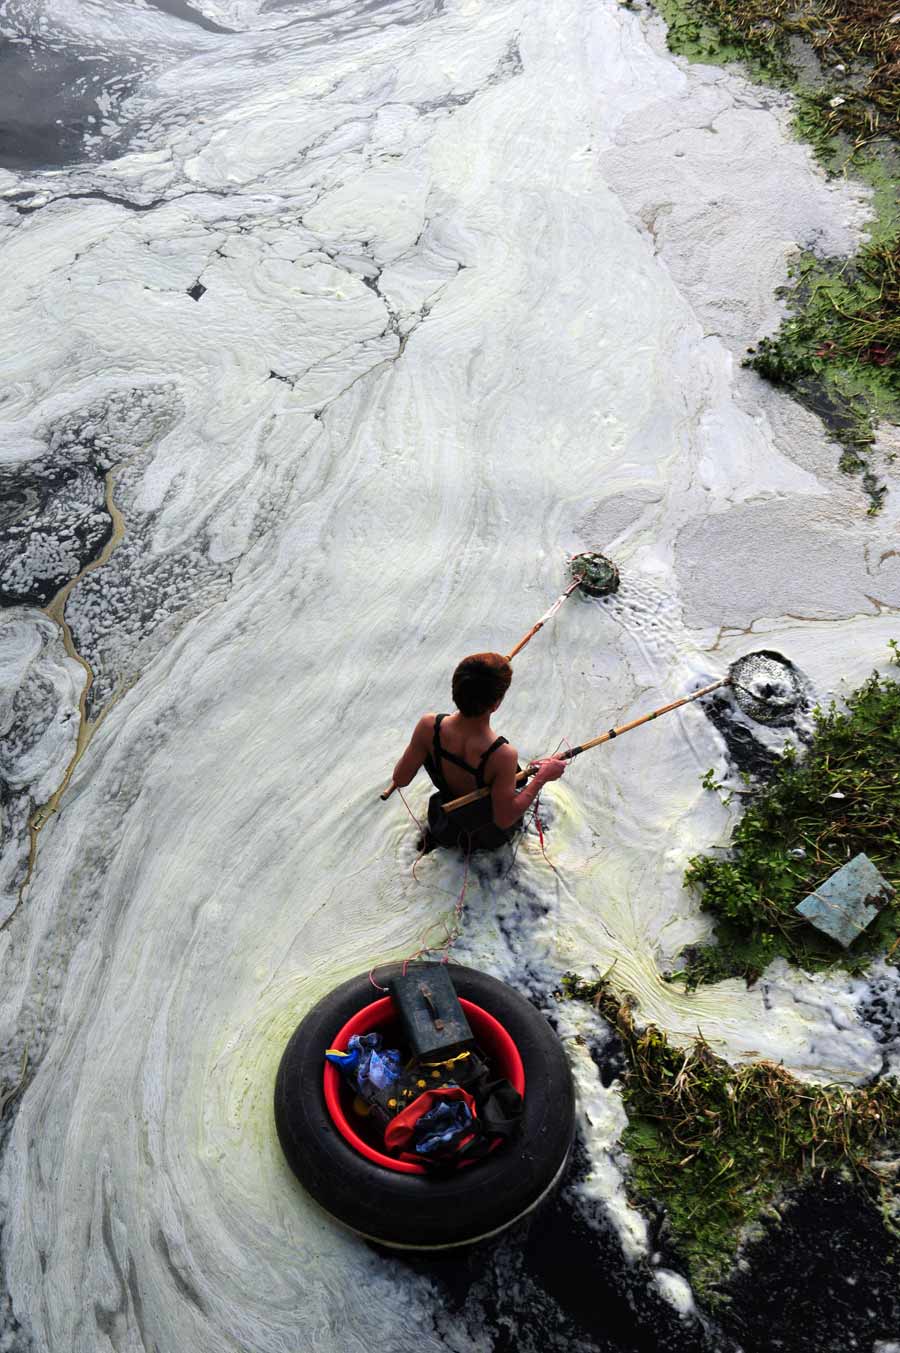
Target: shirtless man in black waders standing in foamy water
462 753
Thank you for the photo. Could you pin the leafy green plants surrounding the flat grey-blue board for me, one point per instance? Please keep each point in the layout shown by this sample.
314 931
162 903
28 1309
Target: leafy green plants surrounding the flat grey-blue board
813 817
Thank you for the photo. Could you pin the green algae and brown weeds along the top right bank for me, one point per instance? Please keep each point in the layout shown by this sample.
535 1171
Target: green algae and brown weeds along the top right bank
838 351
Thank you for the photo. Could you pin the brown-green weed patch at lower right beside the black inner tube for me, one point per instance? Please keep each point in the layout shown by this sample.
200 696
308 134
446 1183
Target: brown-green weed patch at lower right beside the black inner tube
717 1145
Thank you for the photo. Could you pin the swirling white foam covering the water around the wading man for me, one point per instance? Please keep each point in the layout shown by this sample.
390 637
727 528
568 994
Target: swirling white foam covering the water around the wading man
443 340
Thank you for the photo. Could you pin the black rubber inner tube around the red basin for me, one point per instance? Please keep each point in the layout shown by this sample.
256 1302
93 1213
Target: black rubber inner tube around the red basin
427 1212
